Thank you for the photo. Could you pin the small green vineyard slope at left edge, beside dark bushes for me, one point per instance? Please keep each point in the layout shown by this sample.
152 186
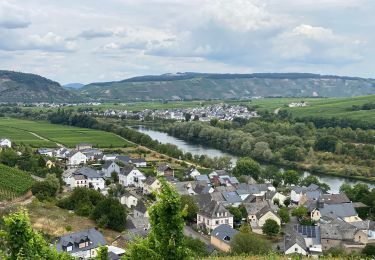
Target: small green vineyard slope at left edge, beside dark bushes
13 183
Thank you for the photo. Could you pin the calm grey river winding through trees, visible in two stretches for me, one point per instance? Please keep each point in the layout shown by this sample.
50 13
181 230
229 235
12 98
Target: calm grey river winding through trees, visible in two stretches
199 149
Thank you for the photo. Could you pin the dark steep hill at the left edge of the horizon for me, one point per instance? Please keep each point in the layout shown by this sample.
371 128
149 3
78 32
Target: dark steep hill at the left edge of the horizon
24 87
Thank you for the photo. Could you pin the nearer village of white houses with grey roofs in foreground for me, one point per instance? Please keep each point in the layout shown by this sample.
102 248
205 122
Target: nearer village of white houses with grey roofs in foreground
320 221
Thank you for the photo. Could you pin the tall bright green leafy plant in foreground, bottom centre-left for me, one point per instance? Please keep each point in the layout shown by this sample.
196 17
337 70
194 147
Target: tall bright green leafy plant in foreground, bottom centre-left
166 238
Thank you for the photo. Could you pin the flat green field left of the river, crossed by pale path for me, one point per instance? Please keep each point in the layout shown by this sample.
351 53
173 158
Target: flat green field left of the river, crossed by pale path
66 135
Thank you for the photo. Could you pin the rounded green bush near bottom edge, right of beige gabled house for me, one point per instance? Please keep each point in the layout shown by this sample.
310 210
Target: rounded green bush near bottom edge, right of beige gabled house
247 243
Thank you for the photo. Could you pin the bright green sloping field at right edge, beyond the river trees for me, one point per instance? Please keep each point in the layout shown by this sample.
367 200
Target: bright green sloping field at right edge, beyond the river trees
325 107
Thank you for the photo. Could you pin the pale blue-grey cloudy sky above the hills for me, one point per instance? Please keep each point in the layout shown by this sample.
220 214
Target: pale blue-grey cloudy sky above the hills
105 40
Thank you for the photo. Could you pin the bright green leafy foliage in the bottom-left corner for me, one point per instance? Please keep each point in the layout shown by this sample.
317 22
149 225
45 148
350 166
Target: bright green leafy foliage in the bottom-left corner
21 242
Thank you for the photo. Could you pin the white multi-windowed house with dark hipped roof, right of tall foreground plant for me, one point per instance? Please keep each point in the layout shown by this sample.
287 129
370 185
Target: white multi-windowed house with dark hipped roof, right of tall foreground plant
214 215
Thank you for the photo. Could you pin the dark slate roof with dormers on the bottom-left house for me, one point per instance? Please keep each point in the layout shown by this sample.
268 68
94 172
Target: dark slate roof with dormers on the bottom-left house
94 236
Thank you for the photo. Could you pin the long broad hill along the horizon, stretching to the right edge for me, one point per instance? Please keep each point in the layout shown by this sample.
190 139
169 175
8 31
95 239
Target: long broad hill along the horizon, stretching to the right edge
228 86
